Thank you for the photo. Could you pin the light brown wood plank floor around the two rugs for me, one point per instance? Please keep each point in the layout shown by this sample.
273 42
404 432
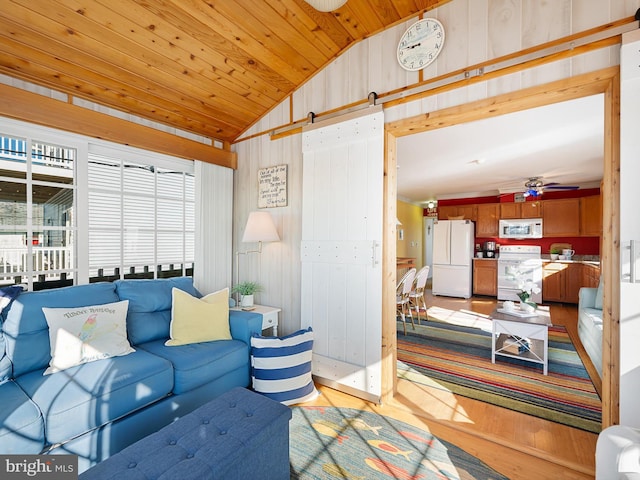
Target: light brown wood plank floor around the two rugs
519 446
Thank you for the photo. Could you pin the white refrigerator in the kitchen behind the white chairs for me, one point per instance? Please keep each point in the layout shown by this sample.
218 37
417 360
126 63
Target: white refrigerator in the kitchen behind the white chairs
453 242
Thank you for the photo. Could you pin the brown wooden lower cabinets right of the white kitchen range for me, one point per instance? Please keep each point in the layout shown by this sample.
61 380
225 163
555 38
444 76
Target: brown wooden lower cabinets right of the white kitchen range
561 281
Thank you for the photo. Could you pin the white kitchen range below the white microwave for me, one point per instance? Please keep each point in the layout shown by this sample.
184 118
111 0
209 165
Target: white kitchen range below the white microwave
518 264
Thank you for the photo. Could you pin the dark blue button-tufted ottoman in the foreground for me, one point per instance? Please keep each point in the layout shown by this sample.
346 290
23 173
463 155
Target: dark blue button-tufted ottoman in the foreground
238 435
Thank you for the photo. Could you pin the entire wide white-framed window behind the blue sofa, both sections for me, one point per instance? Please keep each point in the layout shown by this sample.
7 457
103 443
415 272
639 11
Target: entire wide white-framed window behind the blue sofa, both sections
76 210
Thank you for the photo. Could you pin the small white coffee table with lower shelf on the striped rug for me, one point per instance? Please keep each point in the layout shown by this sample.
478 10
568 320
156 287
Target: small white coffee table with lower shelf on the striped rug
523 337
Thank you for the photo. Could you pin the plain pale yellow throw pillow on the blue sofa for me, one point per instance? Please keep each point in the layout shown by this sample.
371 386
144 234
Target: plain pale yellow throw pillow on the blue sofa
195 320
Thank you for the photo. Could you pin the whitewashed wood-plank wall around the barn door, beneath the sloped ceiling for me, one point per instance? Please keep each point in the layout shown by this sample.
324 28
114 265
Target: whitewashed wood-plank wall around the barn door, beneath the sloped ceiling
477 31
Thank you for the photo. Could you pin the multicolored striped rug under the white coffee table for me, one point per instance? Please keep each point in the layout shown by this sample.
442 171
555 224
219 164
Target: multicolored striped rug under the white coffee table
457 357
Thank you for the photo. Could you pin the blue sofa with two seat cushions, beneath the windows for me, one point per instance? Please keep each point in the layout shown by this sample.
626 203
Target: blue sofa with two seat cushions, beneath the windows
96 409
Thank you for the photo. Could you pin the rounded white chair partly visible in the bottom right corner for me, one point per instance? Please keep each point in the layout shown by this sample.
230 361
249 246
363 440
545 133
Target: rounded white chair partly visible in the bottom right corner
618 453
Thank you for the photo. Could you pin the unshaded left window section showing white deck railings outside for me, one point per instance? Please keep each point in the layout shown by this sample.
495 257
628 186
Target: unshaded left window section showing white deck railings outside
37 218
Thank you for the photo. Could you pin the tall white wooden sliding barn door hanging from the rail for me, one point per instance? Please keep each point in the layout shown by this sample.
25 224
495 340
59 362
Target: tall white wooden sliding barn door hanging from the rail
341 250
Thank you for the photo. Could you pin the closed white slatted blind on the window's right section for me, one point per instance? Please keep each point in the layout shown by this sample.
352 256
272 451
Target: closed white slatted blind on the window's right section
141 216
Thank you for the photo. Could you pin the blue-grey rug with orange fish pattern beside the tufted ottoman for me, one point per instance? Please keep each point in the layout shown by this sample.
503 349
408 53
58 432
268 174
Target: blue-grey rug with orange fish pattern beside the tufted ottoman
329 443
